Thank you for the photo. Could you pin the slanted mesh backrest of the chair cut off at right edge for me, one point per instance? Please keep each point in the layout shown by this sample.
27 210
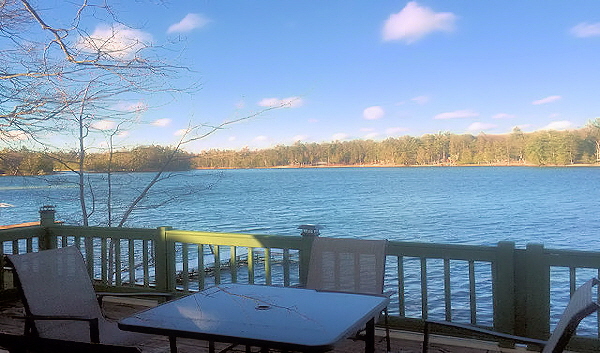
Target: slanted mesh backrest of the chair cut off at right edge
581 305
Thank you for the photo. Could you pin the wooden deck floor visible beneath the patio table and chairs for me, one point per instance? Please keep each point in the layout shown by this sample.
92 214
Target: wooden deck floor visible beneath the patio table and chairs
402 342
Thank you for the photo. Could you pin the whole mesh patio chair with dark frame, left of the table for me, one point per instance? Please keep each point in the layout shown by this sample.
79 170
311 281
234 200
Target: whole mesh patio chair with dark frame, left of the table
60 302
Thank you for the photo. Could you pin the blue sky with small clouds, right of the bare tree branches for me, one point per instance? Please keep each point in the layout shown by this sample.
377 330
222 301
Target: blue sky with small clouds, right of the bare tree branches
372 69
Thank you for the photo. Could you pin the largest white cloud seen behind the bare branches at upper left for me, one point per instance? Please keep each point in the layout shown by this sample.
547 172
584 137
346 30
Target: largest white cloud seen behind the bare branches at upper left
117 41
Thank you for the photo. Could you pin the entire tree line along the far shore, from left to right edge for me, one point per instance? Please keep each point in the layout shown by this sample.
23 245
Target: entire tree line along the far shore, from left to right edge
548 147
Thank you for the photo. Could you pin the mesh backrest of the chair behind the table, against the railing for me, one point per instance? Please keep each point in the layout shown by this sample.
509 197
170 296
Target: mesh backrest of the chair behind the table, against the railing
347 265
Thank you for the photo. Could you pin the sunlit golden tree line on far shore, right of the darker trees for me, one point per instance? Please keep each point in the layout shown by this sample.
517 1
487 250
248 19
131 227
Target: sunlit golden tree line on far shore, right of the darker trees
547 147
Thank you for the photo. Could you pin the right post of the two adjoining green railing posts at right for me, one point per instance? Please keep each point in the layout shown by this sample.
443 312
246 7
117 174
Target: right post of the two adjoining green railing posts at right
533 286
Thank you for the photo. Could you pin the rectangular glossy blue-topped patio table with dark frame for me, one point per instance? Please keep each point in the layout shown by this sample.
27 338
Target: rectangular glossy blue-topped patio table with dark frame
263 316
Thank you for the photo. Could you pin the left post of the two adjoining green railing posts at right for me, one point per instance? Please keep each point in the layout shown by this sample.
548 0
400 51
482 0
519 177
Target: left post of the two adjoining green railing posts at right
504 287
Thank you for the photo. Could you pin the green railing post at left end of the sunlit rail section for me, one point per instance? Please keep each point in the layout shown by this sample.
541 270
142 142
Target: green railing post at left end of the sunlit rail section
164 261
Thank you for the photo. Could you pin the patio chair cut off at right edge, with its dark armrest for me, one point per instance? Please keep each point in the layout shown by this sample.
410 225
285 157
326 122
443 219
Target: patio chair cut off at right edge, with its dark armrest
580 305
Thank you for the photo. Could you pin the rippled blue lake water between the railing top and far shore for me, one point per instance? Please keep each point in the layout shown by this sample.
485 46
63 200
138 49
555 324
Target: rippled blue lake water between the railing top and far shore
558 207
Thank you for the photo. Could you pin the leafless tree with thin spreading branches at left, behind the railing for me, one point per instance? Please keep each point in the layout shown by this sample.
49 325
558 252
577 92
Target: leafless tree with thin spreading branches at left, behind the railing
66 82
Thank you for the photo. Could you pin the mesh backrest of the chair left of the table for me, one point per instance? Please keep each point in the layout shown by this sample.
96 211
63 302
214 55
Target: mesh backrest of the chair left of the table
55 282
